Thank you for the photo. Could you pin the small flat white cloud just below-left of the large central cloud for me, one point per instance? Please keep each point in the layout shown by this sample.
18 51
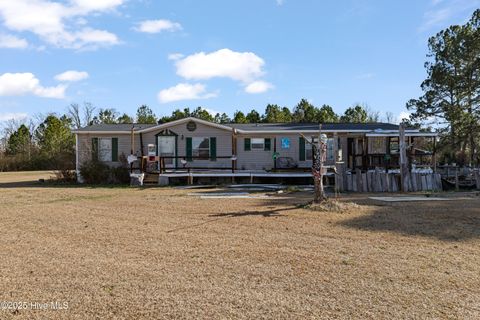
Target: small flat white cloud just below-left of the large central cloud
184 91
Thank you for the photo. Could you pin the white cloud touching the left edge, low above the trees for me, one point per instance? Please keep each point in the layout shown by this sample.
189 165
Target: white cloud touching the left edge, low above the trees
20 84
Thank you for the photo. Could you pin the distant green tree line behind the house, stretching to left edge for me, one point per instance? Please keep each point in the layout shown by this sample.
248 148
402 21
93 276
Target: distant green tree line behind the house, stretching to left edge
47 142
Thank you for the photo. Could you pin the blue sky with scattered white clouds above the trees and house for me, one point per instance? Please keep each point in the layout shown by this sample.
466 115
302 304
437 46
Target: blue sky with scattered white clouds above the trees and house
222 55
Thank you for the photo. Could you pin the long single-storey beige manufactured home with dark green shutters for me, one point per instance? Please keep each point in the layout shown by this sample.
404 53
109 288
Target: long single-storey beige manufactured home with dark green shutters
199 146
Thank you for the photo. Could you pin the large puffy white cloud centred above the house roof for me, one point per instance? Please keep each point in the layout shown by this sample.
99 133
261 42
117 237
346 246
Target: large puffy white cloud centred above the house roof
241 66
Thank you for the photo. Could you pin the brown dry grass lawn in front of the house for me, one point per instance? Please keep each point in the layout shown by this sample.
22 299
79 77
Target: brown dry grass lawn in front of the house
155 253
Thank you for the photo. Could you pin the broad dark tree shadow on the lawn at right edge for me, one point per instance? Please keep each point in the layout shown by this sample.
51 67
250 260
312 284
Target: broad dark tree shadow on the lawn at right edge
447 221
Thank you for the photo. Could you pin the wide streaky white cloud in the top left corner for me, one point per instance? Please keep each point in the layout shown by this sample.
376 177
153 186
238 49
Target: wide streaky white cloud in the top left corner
55 22
